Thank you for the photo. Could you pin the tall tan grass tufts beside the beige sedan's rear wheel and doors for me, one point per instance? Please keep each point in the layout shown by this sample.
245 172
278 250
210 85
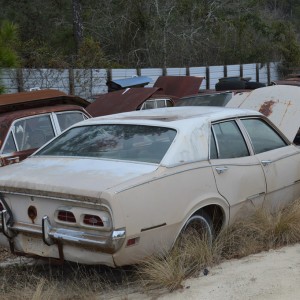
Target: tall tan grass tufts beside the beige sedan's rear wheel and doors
261 231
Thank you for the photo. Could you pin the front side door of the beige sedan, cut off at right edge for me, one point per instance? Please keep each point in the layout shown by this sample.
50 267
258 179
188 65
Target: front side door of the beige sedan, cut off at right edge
280 161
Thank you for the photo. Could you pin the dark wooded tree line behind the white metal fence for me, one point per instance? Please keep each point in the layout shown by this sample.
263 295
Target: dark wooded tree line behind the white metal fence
154 33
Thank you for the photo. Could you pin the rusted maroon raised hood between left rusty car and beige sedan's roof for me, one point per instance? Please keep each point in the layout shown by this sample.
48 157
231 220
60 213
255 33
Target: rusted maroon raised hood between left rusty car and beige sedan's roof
120 101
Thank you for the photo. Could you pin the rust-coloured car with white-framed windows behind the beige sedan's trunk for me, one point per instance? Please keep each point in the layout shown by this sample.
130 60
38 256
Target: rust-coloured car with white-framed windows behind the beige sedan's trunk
30 119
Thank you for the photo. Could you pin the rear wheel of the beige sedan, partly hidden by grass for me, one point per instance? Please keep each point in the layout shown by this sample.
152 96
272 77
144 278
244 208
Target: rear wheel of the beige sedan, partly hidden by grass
201 225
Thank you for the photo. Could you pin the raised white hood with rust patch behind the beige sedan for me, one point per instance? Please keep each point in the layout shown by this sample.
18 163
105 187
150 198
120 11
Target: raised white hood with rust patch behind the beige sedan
280 103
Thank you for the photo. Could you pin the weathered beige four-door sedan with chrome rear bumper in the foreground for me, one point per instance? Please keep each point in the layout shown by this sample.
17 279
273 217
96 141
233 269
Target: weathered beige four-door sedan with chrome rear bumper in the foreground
113 190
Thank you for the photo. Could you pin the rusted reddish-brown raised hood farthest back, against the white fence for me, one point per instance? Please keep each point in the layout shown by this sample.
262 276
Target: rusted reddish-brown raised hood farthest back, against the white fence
178 86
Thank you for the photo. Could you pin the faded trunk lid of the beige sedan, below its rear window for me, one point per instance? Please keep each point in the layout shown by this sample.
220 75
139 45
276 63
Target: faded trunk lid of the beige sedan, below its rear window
80 178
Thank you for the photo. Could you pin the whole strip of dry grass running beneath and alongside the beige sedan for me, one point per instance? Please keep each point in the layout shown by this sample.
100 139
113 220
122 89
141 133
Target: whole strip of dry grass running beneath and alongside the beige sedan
261 231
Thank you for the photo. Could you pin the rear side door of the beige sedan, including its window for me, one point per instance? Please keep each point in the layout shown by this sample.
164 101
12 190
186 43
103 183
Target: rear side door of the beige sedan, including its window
239 175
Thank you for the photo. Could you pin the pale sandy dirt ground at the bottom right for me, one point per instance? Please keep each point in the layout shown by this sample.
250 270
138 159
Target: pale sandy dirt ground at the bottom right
264 276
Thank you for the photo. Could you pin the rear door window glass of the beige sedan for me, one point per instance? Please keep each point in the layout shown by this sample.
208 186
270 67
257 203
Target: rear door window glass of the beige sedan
230 141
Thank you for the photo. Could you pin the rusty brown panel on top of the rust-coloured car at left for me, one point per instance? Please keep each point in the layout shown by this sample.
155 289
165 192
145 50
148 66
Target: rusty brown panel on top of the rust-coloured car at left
40 98
